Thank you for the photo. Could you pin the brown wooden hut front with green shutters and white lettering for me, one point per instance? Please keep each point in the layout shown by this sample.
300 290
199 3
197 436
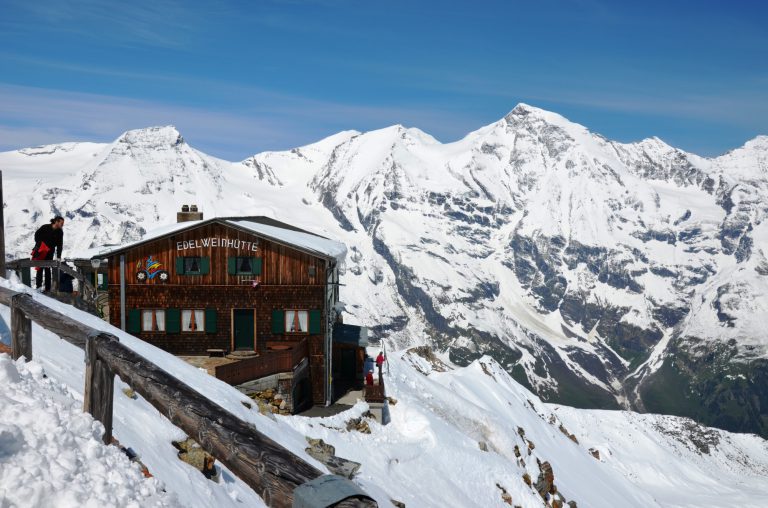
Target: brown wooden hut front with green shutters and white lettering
285 287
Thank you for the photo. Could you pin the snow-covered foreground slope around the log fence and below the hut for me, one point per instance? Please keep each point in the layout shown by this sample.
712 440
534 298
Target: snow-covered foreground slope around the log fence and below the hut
454 440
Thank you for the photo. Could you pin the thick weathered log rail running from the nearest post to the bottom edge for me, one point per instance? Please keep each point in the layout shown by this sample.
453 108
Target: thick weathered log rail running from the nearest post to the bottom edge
271 470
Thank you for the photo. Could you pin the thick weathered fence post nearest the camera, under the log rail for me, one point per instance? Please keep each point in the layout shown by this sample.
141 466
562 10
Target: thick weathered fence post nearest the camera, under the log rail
99 384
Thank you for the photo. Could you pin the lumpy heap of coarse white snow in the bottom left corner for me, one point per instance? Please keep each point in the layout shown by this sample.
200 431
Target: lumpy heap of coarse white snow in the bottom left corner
51 452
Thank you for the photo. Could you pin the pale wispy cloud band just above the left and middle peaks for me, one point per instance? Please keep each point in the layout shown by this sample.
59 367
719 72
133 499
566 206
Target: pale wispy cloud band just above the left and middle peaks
33 116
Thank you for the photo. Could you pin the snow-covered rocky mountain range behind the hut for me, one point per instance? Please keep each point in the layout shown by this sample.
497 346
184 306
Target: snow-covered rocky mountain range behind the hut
596 272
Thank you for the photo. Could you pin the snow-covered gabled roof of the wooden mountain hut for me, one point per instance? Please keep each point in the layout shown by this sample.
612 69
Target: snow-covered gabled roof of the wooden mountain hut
275 230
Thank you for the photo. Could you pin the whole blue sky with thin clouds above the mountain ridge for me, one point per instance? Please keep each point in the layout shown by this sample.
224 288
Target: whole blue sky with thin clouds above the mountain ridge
240 77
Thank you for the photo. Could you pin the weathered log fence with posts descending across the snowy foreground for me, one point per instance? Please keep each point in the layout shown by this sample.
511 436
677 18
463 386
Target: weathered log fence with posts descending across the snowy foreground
271 470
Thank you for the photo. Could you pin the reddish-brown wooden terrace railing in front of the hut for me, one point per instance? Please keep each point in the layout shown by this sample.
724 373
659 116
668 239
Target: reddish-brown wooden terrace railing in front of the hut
269 363
